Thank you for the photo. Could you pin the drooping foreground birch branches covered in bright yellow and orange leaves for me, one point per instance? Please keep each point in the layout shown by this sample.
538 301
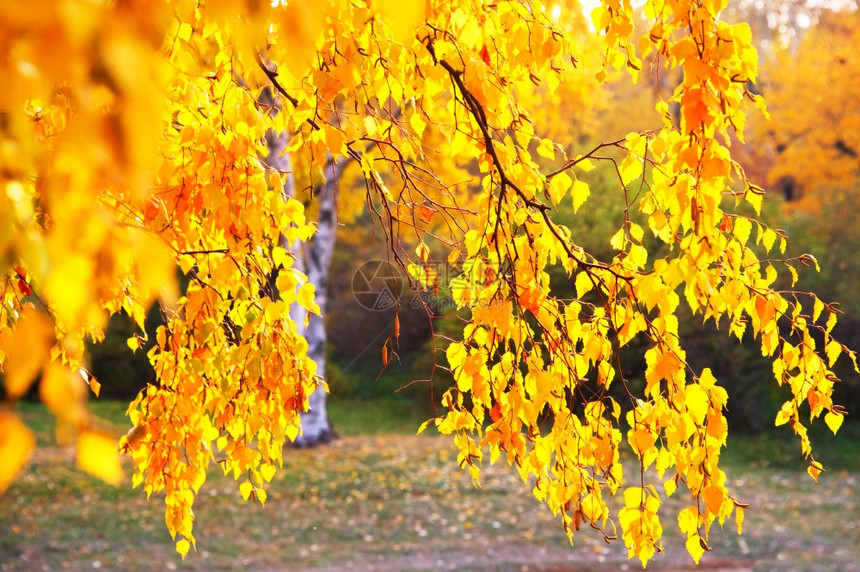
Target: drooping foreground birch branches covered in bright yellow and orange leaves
134 143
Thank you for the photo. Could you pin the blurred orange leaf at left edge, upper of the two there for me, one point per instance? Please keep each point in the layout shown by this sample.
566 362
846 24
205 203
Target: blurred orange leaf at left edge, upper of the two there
27 346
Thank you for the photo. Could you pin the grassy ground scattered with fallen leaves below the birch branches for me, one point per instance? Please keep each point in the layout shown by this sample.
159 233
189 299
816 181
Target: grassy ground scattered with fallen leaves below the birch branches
382 498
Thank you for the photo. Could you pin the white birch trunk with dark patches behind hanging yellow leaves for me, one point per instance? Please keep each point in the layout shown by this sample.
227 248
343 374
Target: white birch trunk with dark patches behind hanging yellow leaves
314 259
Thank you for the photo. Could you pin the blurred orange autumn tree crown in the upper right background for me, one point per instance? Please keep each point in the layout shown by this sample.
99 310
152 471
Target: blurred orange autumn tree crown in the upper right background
813 136
